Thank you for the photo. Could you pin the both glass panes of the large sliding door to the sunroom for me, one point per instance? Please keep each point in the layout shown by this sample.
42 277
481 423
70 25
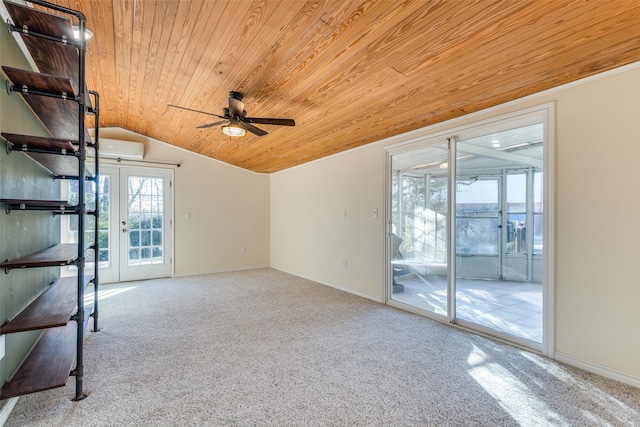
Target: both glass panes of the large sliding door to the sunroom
466 228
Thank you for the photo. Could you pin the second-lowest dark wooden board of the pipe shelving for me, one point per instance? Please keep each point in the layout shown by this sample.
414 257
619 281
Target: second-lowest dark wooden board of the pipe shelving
53 308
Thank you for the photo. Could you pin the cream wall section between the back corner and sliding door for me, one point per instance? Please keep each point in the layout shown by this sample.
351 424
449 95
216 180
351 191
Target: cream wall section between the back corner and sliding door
310 235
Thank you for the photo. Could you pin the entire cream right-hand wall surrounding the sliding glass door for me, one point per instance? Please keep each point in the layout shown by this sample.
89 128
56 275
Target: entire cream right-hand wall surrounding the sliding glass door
597 249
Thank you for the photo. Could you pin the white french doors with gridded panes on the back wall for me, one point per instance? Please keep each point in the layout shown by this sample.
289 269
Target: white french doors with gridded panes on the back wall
135 228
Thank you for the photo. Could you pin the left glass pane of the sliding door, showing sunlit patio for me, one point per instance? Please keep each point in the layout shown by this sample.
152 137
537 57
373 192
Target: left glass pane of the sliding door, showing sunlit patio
419 238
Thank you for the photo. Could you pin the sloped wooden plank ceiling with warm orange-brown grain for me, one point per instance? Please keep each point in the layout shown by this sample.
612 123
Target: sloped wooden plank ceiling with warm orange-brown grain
349 72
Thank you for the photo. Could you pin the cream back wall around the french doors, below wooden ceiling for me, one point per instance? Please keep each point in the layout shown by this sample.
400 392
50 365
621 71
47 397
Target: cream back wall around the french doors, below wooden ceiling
229 209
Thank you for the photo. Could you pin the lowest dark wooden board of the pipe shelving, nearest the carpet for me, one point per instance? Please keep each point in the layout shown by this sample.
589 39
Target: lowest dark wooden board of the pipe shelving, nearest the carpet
48 364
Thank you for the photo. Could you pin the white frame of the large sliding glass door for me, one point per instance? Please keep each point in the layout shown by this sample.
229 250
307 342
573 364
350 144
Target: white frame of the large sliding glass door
421 139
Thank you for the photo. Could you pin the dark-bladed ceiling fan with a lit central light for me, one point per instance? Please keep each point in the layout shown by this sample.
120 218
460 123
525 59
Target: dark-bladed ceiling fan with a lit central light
235 121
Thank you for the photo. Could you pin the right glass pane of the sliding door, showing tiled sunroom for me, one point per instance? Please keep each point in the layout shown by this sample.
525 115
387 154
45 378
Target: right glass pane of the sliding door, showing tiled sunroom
497 286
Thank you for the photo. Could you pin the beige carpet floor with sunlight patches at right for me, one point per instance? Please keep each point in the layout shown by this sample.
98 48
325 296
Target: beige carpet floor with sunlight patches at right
264 348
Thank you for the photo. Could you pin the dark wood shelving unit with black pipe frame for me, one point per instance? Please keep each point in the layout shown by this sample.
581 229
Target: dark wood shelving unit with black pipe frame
57 95
